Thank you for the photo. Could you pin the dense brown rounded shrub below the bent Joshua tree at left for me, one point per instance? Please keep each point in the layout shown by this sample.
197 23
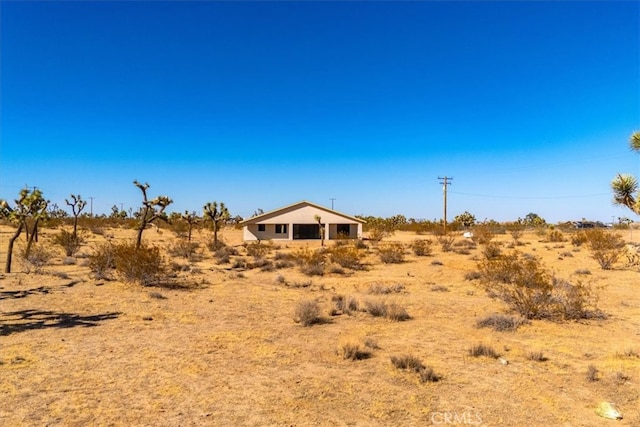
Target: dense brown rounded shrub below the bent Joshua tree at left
143 265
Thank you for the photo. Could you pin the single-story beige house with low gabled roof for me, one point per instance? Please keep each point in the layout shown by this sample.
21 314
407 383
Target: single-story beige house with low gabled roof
300 221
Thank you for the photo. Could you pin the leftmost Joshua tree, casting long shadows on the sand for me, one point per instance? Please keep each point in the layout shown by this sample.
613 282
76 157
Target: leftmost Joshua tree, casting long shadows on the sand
30 205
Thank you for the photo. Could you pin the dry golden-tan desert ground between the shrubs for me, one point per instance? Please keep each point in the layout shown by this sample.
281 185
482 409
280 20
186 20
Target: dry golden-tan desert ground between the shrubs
78 351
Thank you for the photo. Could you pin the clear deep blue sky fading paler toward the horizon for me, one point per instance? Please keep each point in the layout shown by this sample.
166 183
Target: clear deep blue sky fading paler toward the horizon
527 105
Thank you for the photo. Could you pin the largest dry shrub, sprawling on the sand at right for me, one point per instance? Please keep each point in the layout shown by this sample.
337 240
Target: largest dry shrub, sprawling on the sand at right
531 291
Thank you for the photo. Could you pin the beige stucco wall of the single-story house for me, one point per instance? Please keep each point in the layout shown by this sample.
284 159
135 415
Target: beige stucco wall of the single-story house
299 215
